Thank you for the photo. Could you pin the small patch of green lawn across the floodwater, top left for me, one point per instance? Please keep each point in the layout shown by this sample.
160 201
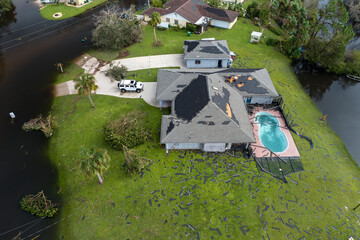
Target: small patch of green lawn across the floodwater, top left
67 11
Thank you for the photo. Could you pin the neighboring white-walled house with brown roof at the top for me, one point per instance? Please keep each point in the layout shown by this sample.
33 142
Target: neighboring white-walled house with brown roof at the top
184 12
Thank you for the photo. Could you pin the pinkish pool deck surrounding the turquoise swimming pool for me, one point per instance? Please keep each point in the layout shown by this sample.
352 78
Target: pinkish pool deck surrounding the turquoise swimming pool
259 150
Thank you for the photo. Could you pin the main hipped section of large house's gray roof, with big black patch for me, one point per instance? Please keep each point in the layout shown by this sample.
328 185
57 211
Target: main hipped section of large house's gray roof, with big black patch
202 114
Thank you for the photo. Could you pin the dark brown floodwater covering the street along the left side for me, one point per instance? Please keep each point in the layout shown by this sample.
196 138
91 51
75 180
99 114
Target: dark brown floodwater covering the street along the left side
30 47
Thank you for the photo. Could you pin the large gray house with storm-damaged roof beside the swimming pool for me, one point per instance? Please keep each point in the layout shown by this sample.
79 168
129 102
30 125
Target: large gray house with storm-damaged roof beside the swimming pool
208 106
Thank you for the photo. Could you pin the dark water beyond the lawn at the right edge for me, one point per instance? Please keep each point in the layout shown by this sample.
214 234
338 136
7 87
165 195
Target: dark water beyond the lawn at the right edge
339 98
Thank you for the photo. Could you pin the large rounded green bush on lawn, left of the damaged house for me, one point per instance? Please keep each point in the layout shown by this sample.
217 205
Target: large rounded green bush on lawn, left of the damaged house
127 130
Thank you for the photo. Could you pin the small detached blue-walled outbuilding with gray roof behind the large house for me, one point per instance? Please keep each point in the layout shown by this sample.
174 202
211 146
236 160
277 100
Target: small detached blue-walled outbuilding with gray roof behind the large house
207 54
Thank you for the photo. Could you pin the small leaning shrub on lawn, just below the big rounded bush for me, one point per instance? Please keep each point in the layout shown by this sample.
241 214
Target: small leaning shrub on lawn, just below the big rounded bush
133 161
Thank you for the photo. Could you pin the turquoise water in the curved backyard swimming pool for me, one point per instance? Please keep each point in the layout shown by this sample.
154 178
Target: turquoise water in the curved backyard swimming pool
270 134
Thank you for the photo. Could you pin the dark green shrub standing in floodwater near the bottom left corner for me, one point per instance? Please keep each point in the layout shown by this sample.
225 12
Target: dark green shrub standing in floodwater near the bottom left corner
38 205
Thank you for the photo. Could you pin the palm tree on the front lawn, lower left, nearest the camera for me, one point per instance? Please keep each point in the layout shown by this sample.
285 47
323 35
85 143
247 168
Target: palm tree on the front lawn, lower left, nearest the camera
94 162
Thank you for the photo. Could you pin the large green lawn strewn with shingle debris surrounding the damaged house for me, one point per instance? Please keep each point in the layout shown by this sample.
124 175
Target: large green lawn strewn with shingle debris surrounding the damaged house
185 194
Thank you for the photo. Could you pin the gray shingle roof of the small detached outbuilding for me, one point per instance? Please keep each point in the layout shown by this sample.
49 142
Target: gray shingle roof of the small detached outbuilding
206 49
